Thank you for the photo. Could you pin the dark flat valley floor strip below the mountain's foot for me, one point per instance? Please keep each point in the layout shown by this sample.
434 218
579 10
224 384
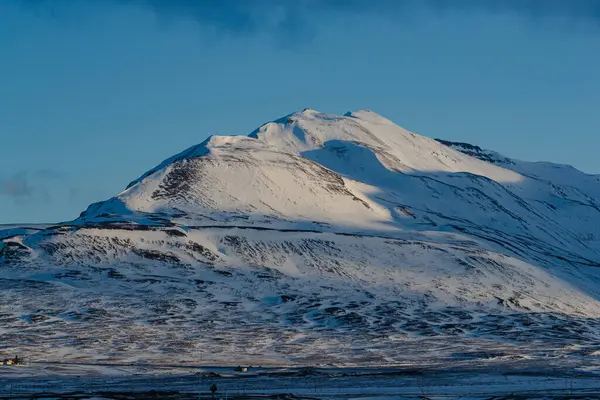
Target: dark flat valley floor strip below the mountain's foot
87 381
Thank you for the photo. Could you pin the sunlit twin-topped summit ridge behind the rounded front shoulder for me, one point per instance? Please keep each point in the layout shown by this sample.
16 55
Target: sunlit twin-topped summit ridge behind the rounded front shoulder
309 130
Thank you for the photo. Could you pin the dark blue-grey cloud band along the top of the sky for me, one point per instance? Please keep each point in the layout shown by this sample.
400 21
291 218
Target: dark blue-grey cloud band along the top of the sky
293 17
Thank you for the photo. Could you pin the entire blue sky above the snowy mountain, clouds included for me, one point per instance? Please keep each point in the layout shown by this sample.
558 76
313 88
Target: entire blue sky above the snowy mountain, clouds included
94 93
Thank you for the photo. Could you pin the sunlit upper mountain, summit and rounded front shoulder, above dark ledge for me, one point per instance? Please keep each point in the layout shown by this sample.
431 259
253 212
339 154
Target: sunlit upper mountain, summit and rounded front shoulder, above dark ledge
304 166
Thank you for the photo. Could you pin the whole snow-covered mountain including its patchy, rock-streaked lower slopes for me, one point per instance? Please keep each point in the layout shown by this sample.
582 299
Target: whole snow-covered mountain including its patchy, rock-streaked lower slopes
316 239
